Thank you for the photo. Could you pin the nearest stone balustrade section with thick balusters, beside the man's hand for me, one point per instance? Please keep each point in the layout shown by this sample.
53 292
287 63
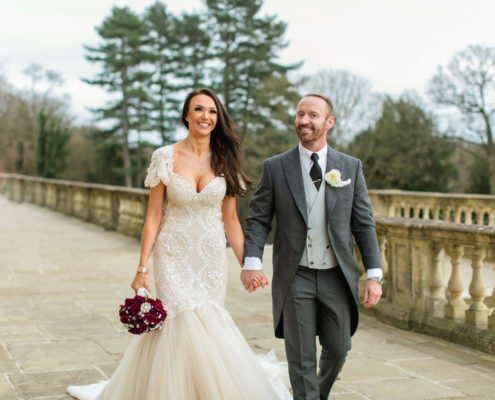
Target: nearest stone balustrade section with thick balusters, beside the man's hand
424 286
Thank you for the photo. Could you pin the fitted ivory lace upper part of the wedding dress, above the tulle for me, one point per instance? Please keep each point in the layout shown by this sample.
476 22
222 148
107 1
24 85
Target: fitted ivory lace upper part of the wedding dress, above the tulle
189 255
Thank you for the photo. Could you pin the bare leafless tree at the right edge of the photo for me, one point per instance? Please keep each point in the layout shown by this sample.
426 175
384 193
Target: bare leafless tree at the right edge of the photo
467 83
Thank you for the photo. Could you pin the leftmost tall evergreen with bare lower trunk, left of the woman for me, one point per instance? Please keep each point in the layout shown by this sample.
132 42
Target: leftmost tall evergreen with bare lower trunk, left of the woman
122 56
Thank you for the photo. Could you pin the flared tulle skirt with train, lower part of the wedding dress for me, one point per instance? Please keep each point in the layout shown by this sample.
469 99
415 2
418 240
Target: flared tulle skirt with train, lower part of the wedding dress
198 355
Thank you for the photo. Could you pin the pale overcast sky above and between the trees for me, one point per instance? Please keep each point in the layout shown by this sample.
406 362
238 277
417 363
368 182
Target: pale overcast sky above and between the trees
396 44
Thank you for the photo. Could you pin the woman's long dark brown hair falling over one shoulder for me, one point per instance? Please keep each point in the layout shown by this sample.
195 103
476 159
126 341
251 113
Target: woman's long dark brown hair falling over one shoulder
226 158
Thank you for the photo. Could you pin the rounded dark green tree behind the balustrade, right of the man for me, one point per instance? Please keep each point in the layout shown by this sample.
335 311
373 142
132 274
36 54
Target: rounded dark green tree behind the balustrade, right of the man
403 152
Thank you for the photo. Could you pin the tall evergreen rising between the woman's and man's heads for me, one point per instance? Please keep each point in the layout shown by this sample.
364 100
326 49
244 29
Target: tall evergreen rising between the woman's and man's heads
246 47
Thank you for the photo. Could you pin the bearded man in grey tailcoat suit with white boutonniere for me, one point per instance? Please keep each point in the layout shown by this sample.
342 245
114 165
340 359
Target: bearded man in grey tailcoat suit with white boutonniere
320 201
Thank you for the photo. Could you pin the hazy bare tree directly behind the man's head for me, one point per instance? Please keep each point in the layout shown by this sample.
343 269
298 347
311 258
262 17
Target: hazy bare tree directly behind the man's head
356 106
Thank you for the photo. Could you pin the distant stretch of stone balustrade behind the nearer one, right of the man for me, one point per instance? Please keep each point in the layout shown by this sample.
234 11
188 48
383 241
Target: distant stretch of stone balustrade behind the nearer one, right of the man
468 209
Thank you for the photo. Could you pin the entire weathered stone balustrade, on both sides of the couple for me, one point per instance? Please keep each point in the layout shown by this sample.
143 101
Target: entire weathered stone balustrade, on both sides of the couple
435 271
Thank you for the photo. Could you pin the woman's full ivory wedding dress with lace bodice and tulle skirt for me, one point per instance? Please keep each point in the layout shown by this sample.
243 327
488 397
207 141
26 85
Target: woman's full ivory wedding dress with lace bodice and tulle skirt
199 353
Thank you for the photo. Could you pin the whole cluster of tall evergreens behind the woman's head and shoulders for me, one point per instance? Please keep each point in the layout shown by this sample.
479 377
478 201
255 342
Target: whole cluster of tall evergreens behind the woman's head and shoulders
149 63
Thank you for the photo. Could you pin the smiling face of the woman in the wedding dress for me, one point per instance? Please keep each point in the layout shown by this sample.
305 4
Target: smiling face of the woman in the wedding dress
202 115
